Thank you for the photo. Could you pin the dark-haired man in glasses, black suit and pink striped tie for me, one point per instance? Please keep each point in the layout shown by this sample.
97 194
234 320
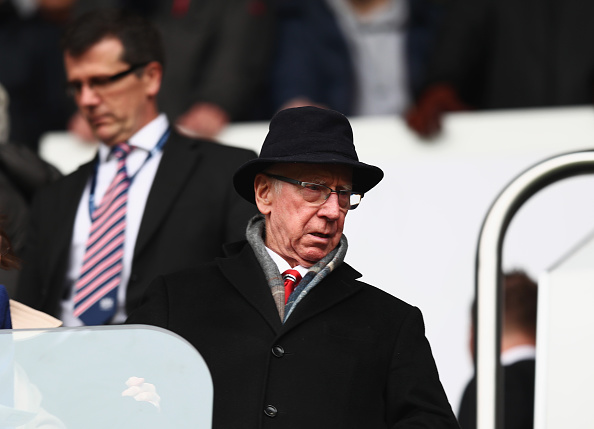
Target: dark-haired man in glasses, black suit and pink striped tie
167 201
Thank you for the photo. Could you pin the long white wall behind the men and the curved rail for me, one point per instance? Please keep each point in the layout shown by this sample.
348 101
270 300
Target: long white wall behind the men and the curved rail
422 221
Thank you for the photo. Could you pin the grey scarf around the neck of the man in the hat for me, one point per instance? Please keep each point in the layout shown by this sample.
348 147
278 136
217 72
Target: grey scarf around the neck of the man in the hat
255 232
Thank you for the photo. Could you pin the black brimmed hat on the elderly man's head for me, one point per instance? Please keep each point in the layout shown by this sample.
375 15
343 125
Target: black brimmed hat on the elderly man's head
307 135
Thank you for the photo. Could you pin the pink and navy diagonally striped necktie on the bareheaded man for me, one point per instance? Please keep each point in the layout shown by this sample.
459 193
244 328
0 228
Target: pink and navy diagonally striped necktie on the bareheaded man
95 293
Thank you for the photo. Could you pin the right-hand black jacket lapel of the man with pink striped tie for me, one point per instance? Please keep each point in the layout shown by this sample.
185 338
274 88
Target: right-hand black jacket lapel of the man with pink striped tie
180 156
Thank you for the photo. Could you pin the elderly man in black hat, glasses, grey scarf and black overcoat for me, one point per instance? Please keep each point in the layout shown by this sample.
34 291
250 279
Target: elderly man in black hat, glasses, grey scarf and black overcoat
312 347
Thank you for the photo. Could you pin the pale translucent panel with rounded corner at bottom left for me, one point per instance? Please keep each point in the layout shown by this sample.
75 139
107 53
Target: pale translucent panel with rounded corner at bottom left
130 376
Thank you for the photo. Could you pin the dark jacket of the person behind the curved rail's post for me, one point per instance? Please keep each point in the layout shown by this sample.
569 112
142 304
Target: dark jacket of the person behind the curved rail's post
518 403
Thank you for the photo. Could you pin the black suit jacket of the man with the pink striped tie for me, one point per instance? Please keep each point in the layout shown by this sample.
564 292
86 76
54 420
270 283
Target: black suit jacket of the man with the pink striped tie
191 211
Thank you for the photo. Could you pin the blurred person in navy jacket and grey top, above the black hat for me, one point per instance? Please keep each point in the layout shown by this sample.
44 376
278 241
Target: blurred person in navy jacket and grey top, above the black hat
360 57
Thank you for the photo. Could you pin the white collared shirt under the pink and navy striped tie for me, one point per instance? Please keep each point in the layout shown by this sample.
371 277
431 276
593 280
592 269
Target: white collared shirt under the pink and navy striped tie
143 142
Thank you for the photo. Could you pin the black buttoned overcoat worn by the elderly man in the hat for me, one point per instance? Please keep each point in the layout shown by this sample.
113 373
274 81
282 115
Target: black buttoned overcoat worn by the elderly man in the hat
350 355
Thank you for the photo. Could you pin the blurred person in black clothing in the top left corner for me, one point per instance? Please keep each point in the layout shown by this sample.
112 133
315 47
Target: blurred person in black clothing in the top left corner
32 70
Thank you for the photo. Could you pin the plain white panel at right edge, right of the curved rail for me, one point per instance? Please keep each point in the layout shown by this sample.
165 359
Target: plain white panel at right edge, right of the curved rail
565 352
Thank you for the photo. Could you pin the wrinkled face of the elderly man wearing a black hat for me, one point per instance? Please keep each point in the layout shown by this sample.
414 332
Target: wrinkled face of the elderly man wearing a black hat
299 231
